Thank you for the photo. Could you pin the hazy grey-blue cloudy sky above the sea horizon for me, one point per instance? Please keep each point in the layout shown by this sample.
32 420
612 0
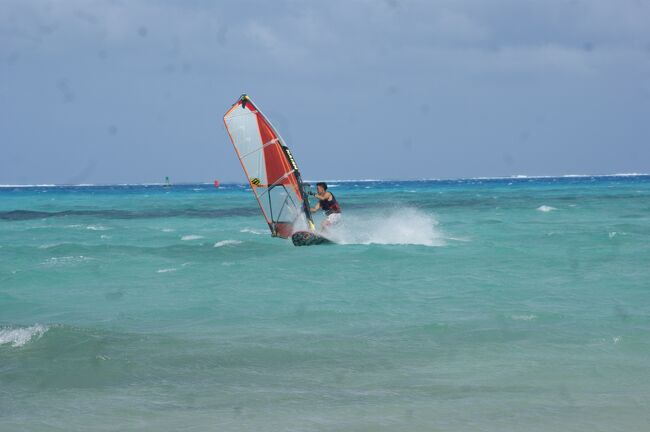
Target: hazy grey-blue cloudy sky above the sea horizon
124 91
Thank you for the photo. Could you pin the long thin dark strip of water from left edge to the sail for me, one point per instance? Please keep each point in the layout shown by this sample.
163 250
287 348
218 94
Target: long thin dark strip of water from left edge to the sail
19 215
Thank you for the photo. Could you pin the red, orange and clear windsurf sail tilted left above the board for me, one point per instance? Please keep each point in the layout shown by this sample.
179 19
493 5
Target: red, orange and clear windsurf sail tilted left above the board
271 169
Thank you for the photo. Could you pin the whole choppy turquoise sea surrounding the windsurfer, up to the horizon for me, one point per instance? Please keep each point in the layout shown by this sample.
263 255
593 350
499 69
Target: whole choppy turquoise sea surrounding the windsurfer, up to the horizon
491 305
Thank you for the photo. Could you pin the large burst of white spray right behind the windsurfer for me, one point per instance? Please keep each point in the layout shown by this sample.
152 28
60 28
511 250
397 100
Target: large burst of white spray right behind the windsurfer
397 226
